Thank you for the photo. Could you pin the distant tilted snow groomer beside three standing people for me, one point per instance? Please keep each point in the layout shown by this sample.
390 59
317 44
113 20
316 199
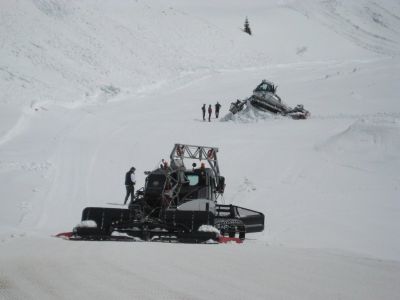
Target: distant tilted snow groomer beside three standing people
265 98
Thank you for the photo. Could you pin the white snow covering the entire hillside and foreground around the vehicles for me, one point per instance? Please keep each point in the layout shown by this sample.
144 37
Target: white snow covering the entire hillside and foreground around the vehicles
91 88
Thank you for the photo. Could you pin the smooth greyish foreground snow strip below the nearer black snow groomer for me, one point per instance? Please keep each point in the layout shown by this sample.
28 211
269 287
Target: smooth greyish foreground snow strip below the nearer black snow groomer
153 271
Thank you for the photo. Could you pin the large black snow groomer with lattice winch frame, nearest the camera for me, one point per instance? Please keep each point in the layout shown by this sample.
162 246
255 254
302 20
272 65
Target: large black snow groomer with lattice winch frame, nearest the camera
176 203
